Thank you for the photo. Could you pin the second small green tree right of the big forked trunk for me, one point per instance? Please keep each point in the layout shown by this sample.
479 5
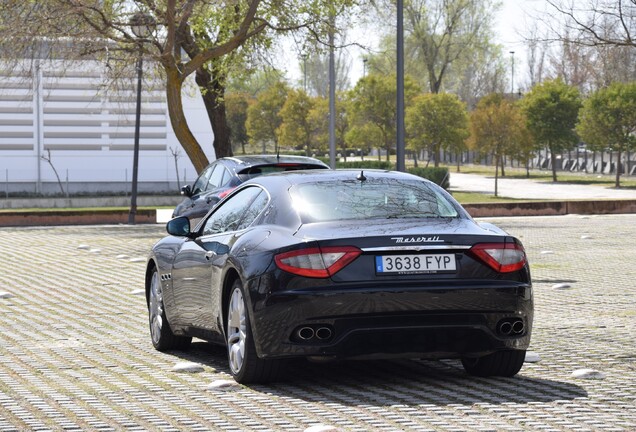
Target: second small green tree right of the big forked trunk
263 117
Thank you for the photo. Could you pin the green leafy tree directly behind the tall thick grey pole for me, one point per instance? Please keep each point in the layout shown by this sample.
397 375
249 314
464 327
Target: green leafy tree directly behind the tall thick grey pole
373 106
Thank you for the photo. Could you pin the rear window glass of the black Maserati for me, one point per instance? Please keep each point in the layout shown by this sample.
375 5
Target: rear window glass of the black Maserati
384 198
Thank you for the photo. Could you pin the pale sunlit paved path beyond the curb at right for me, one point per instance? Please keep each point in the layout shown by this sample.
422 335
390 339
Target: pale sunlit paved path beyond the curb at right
532 189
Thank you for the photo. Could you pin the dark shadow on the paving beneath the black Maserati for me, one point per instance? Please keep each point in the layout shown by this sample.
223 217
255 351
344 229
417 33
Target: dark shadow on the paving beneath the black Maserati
393 382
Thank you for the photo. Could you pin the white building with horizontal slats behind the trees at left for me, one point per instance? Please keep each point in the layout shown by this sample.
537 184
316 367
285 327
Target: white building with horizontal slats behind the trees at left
62 112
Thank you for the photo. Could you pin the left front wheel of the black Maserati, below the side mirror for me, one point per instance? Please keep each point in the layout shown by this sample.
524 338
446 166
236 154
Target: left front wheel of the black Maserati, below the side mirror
160 332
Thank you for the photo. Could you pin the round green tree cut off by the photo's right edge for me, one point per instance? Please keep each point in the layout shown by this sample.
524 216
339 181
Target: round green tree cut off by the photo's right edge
608 120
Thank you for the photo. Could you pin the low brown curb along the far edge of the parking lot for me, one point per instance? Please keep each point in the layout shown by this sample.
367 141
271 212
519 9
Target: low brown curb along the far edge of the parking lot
109 217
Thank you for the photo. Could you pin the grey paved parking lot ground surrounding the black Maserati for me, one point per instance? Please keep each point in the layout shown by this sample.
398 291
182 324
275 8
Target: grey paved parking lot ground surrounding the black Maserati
75 352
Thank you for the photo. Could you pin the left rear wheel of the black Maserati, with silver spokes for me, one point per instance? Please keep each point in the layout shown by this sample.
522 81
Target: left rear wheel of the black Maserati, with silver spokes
245 366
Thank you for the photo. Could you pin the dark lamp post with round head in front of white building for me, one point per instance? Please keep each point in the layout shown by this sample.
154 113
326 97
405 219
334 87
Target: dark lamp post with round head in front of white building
141 25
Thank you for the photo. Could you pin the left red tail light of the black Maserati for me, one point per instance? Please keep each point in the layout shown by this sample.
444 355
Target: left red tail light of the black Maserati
317 262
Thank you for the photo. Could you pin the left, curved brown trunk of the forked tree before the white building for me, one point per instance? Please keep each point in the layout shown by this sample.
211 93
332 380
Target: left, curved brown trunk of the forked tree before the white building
179 122
